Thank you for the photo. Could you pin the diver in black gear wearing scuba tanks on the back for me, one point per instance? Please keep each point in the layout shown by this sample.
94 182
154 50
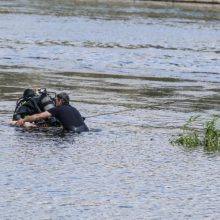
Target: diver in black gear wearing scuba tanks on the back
33 102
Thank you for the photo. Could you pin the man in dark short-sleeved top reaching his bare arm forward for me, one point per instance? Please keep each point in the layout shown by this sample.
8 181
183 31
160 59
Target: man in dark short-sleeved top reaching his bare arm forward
69 117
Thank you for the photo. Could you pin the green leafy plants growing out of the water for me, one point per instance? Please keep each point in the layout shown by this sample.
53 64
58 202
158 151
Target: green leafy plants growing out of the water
191 137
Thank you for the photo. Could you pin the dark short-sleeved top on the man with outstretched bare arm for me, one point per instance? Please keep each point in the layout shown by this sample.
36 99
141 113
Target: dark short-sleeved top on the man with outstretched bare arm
69 117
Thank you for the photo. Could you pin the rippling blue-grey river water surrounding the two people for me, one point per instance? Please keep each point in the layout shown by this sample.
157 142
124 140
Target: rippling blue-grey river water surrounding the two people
159 61
